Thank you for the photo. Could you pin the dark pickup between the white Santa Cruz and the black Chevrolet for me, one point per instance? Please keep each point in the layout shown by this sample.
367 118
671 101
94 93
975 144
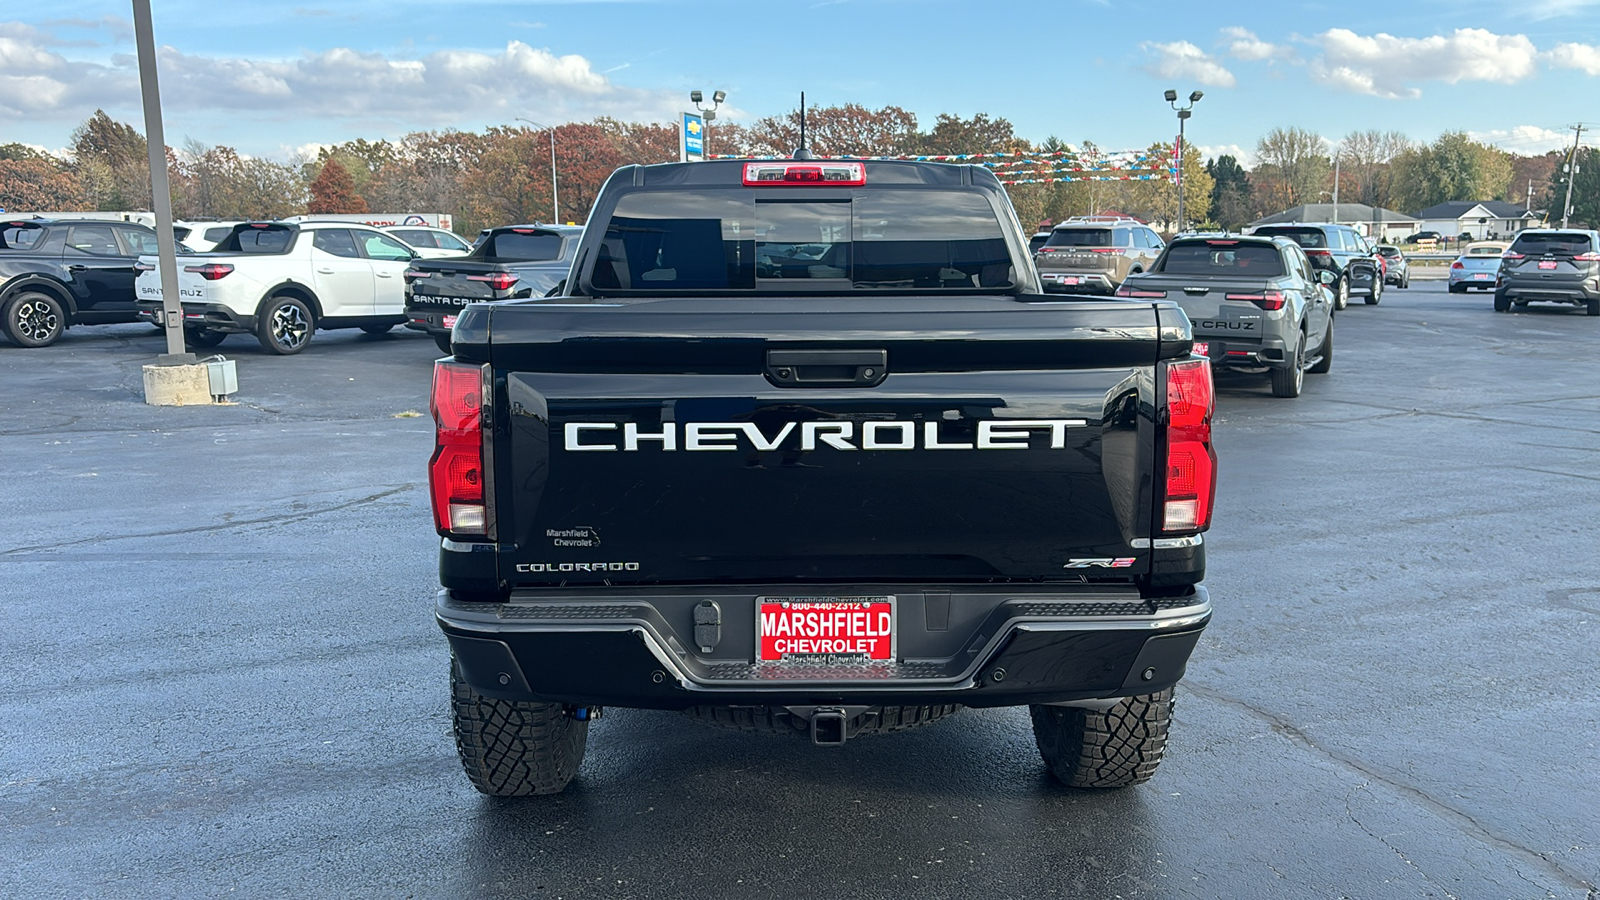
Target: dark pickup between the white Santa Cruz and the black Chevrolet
506 263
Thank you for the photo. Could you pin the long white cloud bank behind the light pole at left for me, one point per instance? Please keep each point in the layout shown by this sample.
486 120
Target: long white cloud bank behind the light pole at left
444 89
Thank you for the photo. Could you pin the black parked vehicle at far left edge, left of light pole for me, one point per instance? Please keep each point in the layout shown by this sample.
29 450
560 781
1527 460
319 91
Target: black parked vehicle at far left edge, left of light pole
57 275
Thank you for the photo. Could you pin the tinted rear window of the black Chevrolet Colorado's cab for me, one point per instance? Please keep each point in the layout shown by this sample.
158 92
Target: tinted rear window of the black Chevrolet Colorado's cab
663 241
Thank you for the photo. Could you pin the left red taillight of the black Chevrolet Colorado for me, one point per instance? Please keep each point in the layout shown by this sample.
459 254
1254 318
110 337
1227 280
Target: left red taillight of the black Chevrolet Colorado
455 476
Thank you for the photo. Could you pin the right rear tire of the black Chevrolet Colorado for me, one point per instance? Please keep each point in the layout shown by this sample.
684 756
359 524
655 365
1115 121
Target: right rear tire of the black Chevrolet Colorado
1111 749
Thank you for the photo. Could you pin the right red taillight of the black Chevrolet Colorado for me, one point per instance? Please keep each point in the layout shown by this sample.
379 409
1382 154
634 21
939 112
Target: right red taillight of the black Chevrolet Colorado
1190 462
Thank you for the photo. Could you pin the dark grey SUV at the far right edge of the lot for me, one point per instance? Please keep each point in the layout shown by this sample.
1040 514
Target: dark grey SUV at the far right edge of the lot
1551 267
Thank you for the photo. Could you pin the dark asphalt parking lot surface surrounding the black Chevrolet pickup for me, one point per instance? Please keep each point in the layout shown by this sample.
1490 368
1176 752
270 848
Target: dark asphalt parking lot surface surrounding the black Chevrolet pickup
223 675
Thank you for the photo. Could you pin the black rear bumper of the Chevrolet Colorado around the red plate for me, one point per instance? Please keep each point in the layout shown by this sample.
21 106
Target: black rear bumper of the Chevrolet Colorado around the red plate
626 651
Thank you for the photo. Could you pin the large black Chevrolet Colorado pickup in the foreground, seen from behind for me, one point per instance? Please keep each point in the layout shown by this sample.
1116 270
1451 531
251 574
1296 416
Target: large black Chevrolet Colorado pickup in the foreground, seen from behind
804 448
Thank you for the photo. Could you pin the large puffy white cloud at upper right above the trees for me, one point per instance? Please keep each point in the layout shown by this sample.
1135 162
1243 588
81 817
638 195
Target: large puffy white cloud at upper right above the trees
1390 66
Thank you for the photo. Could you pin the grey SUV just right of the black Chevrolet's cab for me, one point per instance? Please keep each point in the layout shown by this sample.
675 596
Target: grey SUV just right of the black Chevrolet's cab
1097 254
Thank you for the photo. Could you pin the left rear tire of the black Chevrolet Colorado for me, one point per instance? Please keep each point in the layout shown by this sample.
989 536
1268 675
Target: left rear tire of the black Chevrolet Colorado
514 749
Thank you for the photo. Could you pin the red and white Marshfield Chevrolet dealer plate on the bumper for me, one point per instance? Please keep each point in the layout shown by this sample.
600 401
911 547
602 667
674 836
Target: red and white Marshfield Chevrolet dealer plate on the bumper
825 630
